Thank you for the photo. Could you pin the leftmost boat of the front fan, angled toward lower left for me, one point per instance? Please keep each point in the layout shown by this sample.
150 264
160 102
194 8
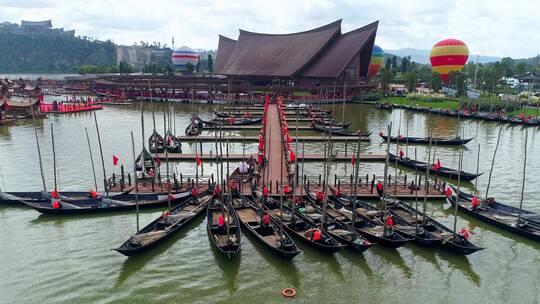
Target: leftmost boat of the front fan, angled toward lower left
162 228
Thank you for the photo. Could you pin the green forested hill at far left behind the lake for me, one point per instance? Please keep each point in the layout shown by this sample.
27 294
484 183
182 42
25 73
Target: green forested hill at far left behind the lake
52 53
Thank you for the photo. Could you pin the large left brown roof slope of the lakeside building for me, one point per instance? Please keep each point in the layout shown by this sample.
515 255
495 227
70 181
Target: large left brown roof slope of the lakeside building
258 54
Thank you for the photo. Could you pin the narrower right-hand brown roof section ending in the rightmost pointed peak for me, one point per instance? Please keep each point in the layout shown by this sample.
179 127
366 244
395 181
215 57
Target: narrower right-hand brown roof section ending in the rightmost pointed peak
341 51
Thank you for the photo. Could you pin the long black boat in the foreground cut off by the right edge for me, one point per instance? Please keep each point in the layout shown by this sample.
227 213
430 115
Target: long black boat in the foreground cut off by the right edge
500 215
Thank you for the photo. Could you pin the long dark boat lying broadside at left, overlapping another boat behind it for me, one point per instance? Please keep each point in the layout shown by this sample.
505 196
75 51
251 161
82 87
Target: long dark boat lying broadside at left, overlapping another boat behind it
104 204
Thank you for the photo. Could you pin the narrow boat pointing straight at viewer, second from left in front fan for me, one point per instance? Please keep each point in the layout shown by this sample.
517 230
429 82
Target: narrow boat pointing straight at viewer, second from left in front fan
227 238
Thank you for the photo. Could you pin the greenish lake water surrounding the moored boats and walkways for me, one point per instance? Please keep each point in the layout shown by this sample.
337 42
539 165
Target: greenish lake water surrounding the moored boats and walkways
68 259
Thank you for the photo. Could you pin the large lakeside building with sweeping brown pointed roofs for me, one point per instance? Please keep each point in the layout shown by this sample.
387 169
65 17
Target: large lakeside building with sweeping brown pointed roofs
316 59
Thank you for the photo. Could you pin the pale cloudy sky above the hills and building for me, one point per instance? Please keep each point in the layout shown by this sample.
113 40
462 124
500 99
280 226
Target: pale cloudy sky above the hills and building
495 28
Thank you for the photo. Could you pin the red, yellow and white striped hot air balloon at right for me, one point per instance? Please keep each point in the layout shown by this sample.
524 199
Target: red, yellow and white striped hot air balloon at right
449 55
